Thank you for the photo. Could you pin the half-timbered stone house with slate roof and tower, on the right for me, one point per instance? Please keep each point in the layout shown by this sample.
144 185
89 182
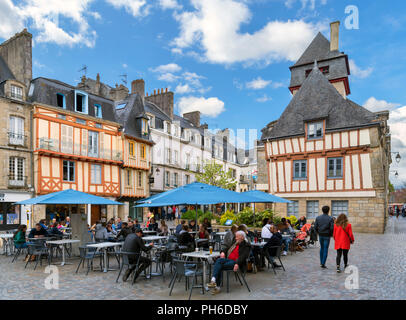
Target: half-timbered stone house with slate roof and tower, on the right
326 149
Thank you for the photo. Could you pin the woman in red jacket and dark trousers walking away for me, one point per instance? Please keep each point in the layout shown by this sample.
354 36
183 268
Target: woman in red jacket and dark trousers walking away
343 238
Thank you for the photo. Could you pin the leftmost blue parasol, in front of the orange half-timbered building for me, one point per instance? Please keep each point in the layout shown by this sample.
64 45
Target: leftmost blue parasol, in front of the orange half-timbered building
69 196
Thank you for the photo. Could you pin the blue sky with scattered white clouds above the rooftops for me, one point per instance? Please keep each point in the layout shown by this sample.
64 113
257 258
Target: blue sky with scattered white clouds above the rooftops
228 58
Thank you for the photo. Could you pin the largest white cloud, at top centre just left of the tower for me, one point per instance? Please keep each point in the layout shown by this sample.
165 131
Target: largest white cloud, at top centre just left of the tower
215 25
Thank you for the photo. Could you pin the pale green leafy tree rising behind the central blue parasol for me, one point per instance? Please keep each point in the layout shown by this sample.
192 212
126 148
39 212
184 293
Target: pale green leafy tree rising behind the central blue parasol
213 174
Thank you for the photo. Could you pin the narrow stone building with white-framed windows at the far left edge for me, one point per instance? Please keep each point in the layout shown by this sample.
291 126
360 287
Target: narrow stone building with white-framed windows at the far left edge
16 181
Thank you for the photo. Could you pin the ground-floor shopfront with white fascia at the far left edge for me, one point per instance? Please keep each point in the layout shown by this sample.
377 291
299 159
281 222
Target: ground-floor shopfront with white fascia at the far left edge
11 216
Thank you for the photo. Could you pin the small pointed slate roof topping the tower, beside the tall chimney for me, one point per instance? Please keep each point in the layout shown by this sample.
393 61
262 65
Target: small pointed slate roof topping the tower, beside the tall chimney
319 49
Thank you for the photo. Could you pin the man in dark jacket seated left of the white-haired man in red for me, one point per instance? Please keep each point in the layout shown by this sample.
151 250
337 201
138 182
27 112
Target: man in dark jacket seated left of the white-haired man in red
133 243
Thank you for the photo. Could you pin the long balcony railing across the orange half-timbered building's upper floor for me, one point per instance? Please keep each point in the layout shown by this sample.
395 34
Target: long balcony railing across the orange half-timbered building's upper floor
77 149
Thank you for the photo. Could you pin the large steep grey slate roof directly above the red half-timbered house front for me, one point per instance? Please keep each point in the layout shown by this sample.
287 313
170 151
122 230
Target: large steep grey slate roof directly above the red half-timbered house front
318 99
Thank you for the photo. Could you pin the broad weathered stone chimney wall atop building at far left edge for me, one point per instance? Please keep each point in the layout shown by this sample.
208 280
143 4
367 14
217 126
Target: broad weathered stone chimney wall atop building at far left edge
17 53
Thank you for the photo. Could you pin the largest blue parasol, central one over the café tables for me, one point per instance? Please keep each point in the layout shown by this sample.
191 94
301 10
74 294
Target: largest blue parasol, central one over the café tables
195 193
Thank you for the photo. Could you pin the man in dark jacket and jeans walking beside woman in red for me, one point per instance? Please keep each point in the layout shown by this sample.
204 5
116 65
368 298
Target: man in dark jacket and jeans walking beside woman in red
324 226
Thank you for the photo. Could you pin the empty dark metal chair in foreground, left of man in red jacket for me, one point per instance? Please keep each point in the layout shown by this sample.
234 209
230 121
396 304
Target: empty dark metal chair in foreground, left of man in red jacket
187 270
